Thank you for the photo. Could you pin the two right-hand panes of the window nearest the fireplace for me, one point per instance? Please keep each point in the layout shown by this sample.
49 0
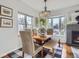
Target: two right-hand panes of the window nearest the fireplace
58 24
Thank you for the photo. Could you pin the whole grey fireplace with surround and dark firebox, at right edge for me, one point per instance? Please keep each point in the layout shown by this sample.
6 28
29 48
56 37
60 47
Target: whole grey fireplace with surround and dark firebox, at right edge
72 35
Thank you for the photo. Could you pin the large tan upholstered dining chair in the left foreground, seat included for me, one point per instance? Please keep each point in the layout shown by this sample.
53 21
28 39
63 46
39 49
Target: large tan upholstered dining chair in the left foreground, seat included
28 45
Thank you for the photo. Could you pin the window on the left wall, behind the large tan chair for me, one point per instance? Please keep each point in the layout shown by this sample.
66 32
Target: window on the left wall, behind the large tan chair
24 21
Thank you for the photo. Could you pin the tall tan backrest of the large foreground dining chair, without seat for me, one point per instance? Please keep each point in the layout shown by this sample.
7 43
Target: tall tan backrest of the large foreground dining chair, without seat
27 41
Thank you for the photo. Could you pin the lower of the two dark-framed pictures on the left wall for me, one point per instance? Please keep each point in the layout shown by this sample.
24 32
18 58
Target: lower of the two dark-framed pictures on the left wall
6 23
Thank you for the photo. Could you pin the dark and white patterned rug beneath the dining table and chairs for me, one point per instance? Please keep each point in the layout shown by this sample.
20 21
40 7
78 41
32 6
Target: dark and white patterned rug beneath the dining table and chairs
18 54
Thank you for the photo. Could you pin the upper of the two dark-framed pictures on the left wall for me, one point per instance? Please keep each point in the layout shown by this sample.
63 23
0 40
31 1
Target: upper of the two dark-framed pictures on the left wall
6 11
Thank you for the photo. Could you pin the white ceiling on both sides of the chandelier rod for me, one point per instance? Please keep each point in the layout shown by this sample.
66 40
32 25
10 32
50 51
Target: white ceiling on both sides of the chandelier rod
51 4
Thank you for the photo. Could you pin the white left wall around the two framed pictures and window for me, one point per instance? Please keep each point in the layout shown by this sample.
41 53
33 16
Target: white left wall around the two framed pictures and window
8 36
